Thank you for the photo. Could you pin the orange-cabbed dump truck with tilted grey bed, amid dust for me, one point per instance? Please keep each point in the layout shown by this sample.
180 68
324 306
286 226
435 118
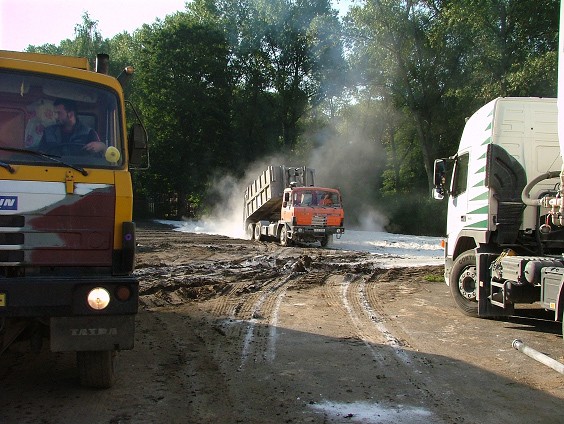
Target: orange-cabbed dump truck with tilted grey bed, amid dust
283 204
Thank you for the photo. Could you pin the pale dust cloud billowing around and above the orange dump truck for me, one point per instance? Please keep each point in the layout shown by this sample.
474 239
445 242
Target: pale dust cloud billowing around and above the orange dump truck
352 163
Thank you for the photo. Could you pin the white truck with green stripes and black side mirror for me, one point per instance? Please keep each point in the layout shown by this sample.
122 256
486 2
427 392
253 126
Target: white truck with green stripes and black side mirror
505 189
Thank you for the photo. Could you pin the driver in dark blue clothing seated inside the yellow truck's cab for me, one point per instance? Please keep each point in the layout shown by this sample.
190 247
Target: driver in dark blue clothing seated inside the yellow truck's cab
69 130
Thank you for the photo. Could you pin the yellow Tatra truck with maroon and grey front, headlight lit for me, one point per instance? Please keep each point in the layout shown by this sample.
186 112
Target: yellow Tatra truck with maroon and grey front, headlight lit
67 239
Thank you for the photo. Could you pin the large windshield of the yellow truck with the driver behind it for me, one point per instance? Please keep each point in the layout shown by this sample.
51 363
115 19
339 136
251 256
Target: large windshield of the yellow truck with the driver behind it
70 120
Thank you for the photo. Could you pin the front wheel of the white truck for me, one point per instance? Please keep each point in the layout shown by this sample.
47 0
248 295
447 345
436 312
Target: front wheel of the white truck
463 284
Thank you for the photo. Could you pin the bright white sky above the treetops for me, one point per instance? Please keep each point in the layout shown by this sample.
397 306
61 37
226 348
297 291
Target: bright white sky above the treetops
38 22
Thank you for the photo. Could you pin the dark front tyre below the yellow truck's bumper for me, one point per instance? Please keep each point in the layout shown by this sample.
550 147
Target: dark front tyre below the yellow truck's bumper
96 368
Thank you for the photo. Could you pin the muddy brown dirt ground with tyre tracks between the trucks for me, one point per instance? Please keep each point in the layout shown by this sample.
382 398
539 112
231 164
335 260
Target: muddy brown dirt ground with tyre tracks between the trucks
231 331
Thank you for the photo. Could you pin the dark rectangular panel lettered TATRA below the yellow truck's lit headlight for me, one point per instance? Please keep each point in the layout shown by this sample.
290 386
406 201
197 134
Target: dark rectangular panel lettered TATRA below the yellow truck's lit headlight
92 333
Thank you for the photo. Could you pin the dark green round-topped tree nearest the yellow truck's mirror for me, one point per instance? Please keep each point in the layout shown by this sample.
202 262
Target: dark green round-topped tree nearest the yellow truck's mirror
184 79
